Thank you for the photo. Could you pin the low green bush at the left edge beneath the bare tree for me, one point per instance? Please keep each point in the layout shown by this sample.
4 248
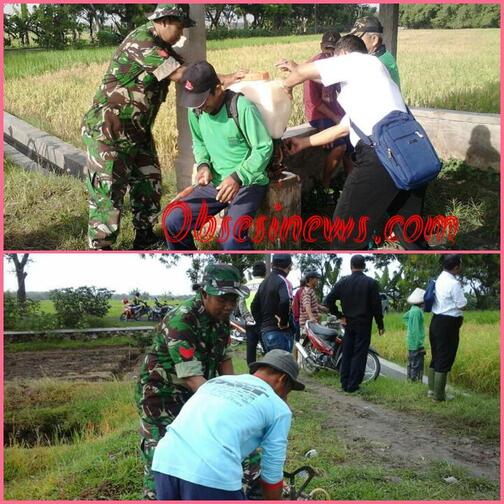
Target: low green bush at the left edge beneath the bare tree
26 318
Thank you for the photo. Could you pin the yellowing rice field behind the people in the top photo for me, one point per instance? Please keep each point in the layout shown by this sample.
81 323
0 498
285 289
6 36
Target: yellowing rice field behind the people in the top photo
451 69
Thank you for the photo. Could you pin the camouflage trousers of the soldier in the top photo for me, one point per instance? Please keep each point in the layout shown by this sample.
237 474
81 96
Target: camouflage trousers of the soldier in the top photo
112 169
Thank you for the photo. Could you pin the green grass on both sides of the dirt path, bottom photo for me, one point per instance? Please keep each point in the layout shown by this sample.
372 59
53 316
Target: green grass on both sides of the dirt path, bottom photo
98 458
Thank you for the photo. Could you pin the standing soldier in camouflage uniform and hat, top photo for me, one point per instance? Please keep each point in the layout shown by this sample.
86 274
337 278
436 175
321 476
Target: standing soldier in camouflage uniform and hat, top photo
117 129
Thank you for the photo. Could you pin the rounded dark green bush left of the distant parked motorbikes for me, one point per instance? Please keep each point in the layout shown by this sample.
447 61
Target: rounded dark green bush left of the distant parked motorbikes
72 305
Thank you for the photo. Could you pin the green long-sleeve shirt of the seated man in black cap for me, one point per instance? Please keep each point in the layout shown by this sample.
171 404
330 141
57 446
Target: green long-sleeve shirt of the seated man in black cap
218 142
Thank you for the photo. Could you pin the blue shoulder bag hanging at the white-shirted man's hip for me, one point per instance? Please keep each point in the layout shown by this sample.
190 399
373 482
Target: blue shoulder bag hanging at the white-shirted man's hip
404 149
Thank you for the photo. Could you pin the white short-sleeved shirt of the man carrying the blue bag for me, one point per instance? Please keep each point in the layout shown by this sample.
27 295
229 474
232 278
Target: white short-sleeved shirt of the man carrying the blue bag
368 93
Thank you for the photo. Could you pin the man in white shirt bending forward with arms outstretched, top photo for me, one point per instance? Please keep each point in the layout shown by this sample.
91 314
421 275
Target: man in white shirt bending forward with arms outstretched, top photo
368 94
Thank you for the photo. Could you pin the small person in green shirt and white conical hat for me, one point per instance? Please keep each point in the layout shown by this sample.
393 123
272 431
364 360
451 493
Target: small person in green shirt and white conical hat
415 335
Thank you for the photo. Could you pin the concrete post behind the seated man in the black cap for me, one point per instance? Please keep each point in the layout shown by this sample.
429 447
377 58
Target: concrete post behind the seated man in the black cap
194 50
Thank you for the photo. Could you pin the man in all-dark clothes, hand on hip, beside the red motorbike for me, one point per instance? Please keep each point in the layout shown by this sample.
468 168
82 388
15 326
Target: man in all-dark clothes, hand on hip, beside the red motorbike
360 302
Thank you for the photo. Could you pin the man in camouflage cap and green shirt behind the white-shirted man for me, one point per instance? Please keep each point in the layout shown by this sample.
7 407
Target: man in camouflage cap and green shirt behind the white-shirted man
370 30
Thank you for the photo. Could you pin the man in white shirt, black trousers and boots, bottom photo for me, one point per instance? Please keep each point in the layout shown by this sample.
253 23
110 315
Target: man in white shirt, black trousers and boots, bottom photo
445 325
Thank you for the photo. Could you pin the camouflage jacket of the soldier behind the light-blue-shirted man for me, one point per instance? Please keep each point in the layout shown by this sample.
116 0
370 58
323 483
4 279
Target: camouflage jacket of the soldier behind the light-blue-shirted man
189 343
